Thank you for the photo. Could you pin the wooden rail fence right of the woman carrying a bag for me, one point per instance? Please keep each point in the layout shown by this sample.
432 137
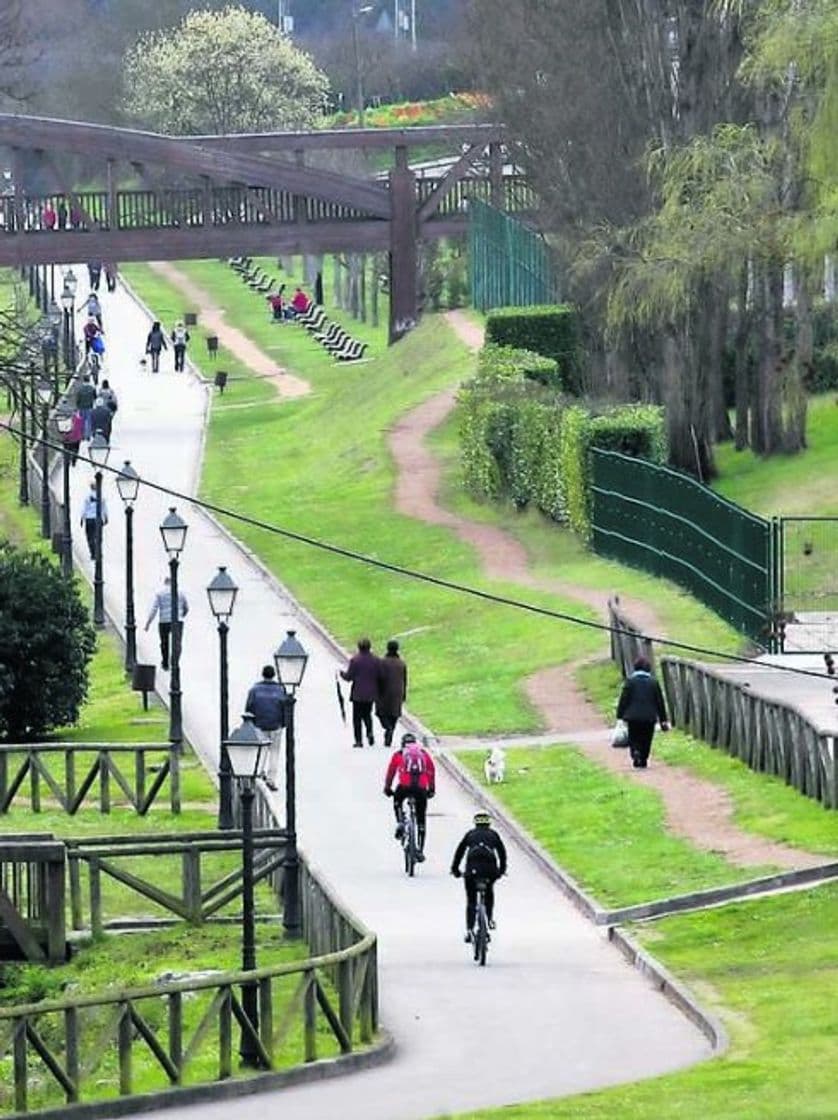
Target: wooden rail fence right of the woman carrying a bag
768 736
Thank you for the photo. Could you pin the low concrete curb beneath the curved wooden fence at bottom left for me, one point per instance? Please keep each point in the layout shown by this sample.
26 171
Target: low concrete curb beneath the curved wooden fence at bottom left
231 1090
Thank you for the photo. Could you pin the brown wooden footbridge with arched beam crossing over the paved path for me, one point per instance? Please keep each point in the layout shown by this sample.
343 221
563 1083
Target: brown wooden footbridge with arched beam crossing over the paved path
220 197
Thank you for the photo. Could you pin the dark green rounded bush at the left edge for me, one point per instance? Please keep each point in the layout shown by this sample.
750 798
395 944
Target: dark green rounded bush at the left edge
46 643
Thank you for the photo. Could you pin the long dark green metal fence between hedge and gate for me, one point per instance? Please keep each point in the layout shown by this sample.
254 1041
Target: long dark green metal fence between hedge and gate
668 525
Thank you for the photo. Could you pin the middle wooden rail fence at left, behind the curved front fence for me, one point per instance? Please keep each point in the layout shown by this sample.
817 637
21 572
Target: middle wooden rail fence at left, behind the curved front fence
105 858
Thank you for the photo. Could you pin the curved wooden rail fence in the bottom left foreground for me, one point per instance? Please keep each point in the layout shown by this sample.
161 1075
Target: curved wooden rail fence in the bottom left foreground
76 1051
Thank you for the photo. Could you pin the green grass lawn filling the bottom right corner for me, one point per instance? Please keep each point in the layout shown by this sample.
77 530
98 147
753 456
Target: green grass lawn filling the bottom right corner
770 969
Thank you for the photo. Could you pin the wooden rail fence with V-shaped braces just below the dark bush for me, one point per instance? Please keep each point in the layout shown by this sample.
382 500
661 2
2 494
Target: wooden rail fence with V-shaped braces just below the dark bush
20 762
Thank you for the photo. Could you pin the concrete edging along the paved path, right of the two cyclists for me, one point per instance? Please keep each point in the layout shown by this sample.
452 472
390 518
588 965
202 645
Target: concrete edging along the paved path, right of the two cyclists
673 990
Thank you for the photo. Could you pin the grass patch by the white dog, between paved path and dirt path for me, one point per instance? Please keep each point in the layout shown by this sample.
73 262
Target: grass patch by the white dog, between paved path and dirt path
608 832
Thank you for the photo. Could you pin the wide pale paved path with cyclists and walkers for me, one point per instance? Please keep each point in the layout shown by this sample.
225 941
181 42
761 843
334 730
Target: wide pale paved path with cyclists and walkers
557 1012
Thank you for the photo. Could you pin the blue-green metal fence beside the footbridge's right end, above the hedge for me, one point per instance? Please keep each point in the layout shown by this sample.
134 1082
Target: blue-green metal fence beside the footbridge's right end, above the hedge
509 264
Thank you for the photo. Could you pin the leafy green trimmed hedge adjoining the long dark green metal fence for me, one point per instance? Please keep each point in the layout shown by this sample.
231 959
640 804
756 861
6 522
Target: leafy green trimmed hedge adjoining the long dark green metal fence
526 443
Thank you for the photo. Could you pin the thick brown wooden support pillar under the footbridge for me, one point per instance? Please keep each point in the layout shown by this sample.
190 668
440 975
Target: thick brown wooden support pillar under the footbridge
404 295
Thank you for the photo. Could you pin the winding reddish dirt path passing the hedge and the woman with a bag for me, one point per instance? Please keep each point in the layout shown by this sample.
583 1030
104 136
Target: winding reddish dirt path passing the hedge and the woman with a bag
697 810
